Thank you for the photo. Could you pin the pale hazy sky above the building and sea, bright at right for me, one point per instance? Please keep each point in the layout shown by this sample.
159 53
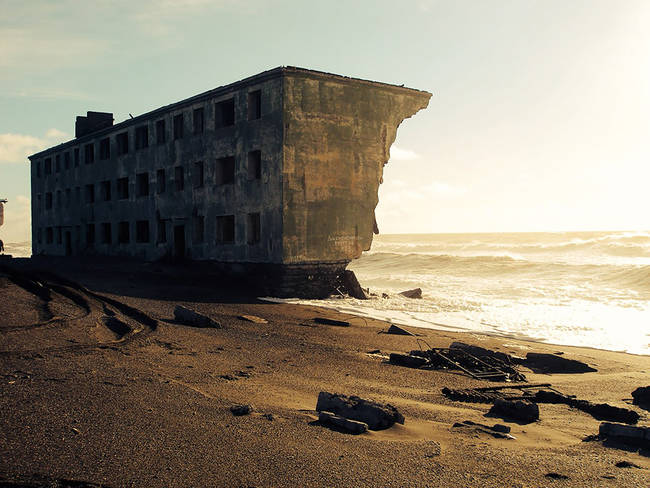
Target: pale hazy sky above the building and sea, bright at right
540 118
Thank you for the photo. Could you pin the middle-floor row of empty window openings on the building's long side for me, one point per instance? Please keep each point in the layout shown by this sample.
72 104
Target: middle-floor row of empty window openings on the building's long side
225 175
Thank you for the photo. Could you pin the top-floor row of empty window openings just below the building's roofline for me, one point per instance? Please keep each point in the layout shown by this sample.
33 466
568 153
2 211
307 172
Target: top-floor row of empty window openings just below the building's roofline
224 117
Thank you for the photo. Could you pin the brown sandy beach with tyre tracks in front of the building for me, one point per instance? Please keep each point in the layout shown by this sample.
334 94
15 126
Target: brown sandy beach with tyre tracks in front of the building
142 400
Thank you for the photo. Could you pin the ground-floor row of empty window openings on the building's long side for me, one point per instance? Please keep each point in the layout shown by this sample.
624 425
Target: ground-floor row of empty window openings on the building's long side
225 231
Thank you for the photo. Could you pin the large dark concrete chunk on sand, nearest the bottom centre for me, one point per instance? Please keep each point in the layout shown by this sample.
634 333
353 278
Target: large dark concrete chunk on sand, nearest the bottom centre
378 416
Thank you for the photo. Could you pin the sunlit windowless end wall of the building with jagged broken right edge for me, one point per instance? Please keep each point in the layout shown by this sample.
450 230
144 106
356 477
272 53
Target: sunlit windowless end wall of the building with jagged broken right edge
338 134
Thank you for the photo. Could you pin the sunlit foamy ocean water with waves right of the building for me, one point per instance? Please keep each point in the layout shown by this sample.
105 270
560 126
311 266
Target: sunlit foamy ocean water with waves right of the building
573 288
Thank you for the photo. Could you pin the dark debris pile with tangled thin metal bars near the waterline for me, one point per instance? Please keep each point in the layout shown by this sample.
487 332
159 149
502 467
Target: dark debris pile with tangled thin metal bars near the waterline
477 362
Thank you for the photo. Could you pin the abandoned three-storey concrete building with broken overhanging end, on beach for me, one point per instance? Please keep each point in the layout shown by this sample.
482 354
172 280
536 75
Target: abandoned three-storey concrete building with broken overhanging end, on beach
277 173
